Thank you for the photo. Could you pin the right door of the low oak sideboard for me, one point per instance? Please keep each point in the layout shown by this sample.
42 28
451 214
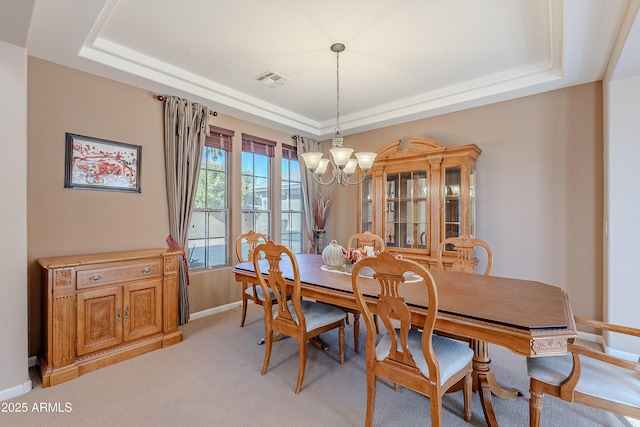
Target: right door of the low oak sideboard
142 309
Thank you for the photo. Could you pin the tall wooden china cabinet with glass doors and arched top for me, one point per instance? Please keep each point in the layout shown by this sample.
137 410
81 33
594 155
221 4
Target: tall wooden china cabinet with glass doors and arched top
418 193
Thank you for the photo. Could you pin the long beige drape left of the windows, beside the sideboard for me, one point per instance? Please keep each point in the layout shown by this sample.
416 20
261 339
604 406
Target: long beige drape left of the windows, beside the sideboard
186 127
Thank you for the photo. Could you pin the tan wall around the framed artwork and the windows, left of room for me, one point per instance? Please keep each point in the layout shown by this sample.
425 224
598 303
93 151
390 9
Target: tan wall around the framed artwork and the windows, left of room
68 221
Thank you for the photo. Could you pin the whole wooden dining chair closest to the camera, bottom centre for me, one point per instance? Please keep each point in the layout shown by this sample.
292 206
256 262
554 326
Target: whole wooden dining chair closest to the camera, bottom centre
416 359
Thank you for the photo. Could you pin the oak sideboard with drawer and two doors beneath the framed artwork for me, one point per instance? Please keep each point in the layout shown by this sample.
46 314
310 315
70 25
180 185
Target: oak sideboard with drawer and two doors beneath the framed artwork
100 309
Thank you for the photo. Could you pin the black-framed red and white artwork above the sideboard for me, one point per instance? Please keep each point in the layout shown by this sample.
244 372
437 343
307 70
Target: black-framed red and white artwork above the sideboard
98 164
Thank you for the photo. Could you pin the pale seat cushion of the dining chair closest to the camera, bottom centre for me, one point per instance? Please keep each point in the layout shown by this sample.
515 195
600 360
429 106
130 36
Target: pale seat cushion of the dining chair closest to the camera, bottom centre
452 355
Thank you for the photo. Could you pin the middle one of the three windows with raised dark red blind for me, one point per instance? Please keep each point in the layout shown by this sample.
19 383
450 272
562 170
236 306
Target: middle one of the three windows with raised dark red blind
256 184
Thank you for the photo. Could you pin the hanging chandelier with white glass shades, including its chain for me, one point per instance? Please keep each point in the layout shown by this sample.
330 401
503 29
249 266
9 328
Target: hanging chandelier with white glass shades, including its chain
342 164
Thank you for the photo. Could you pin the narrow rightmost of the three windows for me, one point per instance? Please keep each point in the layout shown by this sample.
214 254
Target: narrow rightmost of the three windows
292 213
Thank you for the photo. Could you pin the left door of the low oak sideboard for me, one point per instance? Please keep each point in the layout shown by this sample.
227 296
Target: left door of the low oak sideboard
99 319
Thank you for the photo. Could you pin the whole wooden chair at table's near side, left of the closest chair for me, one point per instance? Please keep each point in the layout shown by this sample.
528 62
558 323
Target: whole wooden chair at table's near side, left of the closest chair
294 317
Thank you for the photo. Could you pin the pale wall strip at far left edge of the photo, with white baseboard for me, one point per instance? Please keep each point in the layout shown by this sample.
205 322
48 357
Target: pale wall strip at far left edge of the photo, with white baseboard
14 373
